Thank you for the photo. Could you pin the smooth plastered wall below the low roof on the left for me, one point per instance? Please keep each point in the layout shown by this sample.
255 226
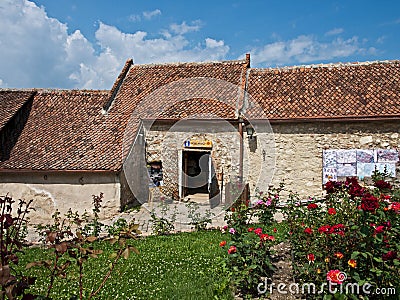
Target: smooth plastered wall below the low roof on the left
61 190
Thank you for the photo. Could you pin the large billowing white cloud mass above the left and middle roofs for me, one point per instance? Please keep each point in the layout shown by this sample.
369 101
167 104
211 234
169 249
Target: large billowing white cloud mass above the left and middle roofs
38 51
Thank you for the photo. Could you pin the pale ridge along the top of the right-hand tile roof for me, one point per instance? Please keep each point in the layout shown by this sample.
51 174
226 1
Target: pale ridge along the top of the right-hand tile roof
326 65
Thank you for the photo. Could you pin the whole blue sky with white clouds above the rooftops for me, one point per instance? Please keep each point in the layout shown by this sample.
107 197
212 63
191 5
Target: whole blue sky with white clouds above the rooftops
83 44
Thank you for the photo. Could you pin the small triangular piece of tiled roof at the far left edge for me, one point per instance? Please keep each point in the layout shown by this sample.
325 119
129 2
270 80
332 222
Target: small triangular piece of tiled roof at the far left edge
10 102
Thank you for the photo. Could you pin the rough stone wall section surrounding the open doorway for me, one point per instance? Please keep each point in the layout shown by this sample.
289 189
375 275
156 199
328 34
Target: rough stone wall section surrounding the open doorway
165 143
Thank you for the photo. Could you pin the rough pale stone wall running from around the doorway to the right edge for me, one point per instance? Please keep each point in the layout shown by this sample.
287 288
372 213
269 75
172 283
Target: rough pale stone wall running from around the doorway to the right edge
292 153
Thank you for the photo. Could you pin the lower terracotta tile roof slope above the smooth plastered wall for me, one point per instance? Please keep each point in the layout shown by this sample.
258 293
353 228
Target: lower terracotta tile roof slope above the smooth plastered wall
64 130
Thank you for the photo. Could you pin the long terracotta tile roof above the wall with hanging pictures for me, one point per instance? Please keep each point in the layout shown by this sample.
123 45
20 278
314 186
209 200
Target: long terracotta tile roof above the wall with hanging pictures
359 90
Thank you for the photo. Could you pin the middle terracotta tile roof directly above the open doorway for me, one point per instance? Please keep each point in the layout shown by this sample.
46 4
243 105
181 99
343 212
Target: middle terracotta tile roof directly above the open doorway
154 91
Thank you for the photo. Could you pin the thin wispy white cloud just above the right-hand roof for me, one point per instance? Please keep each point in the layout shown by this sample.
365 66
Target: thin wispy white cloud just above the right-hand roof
304 49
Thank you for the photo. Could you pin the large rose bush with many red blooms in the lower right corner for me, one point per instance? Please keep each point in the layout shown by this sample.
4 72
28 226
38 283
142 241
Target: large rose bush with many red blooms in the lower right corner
356 231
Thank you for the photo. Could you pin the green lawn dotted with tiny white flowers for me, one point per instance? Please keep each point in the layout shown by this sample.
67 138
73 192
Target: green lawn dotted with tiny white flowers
180 266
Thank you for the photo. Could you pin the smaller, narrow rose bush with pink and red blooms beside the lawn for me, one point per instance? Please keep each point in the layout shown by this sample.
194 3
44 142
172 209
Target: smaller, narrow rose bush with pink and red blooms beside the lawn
248 253
